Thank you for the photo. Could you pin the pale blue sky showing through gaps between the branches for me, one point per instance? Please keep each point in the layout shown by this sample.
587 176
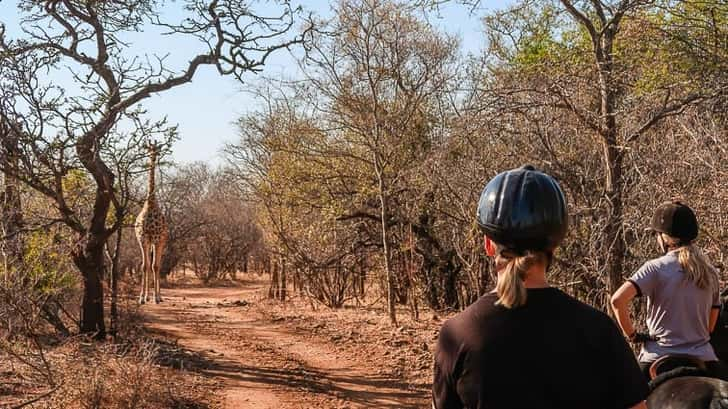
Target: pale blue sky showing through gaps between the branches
206 109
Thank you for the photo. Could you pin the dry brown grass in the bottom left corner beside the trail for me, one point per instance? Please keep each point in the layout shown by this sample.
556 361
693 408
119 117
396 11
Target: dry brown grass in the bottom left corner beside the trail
103 375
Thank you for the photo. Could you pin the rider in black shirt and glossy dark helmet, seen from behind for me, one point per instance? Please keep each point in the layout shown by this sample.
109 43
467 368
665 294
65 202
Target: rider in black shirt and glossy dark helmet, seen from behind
527 345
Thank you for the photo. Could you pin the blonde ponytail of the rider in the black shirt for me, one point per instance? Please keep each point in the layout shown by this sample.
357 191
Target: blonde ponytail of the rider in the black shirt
510 287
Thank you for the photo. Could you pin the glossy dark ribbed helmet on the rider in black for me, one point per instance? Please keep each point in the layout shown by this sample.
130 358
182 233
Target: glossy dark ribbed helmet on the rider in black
523 209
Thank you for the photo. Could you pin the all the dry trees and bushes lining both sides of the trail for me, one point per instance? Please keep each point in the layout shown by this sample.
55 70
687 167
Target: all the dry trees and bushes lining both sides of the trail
360 179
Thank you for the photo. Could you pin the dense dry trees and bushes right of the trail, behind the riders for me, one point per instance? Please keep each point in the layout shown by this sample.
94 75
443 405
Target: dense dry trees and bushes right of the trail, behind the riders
377 158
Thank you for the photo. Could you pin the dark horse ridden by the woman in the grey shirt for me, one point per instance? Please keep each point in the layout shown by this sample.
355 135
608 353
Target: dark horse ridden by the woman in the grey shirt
687 387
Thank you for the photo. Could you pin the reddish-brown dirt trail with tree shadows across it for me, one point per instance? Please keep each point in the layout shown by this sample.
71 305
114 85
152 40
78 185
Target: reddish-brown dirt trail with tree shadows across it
264 363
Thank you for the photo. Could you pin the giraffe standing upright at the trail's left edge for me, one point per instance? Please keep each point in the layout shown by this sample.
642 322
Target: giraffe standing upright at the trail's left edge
151 231
